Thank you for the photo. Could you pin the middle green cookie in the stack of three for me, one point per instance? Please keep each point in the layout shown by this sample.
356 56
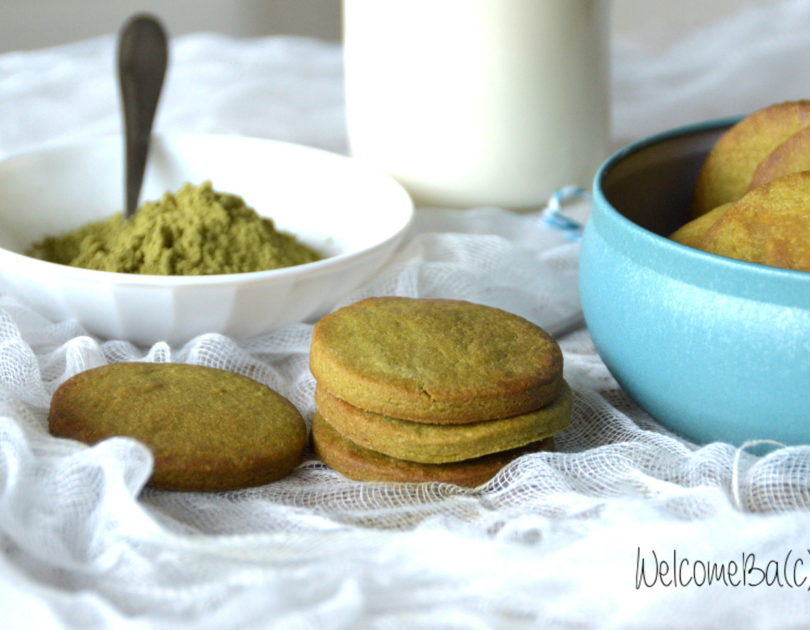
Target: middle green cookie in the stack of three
442 443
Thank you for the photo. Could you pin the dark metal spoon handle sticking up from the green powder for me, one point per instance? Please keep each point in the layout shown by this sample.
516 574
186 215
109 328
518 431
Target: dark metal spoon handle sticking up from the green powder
142 58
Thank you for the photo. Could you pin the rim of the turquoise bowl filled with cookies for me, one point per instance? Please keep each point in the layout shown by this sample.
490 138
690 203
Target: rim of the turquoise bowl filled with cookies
690 254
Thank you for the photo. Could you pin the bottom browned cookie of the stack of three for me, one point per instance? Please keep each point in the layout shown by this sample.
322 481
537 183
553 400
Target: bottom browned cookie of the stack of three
363 464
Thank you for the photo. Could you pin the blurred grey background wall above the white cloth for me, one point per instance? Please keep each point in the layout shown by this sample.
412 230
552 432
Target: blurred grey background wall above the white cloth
26 24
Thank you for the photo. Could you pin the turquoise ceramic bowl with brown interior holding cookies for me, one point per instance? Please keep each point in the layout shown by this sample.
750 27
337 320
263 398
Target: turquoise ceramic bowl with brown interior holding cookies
713 348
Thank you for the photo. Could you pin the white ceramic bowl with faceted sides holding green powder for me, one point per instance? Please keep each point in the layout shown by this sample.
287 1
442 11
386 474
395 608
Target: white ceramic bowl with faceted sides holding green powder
354 215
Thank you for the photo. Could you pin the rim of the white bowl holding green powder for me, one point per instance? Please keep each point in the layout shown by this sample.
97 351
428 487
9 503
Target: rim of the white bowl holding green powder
330 263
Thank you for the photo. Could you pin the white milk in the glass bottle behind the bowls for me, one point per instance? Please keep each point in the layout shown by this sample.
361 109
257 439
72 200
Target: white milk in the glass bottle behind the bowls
478 102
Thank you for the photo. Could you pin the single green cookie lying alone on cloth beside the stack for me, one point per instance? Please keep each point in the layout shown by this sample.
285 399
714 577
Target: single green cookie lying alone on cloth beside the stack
208 429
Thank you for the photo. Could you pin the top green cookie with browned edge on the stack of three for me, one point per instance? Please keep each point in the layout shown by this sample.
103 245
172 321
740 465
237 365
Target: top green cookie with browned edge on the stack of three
435 360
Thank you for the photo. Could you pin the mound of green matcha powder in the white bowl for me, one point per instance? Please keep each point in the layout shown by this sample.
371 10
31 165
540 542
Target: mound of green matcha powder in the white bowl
195 231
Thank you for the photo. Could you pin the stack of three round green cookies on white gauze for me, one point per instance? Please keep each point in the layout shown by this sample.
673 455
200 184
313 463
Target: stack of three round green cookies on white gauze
433 390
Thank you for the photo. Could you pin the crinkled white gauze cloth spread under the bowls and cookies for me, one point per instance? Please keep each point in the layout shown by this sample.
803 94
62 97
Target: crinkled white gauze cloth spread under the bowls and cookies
555 540
